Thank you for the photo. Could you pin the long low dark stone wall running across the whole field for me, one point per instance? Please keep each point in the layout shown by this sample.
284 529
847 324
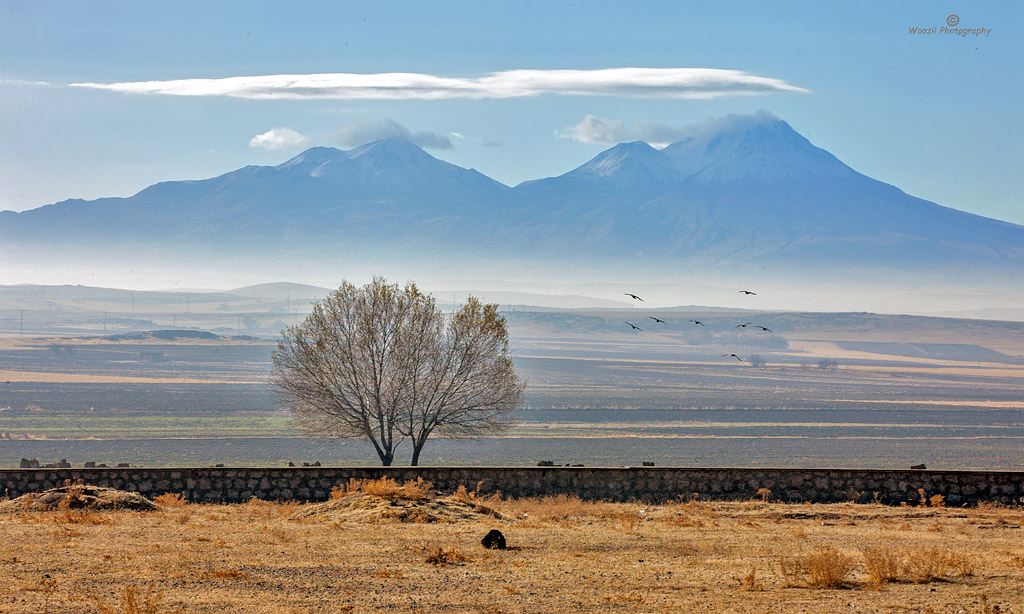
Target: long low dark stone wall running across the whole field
655 485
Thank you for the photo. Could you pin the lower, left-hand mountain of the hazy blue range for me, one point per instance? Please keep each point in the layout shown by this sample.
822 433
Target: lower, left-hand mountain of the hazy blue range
380 189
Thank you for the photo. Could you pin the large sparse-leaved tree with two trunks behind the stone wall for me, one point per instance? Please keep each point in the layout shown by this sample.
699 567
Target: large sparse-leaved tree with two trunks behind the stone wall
387 365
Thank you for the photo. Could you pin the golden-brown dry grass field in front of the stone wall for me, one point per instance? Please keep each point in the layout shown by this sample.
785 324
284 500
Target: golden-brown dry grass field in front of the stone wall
566 556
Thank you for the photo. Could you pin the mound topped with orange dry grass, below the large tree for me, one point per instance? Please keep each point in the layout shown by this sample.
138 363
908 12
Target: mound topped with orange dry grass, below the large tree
360 507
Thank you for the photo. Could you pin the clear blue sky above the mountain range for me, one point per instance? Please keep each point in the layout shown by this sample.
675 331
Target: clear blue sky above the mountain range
935 115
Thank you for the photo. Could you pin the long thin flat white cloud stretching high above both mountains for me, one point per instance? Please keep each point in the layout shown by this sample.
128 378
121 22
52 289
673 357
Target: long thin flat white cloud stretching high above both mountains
645 83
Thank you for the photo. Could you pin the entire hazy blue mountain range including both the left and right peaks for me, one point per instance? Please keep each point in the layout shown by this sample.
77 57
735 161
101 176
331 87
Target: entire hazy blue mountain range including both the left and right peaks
745 193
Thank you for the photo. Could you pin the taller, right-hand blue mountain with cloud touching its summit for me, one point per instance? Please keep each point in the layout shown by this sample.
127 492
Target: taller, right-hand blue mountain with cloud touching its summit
750 191
